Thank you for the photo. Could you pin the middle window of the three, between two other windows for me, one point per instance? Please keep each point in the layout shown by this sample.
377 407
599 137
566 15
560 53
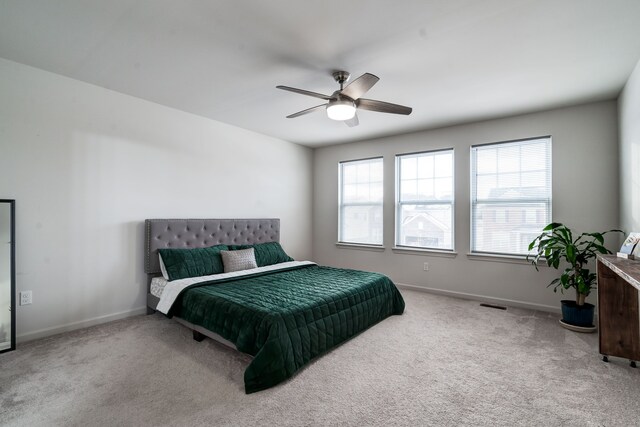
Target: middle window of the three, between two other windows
424 200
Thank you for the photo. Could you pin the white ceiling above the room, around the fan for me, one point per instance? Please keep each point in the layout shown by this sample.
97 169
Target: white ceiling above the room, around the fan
453 61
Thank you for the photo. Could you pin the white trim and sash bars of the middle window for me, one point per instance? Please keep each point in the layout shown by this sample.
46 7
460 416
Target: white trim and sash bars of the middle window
396 211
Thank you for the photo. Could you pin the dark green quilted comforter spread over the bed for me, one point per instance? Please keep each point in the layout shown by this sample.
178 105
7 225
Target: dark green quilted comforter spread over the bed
286 318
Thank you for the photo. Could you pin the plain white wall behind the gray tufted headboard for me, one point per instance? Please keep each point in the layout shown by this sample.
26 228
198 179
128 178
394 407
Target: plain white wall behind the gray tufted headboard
87 165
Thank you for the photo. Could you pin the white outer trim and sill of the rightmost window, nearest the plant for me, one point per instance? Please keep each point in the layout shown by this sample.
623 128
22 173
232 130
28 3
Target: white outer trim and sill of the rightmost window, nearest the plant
503 256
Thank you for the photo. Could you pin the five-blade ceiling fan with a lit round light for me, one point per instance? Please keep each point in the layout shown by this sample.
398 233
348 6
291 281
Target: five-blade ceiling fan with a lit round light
343 103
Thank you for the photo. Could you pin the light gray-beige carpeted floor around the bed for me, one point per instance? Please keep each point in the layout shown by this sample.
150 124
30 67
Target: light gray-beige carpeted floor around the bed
444 362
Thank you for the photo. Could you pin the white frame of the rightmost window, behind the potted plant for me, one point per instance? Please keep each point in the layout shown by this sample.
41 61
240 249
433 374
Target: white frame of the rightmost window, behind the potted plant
473 195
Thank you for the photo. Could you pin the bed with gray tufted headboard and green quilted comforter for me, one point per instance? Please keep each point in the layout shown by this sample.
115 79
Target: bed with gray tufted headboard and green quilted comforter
282 312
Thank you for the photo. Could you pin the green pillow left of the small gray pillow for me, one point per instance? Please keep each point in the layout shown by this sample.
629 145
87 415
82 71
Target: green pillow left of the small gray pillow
182 263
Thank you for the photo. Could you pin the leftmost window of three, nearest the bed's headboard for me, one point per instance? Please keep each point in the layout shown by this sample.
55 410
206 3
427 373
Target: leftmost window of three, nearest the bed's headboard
360 202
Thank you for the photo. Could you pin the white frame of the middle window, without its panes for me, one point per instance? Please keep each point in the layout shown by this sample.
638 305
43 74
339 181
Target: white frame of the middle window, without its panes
399 203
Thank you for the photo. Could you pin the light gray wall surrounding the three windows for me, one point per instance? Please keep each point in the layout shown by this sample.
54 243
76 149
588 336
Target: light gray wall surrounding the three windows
585 197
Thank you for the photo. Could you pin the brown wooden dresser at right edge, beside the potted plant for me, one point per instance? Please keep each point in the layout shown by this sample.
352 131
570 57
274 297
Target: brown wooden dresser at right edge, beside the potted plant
618 314
